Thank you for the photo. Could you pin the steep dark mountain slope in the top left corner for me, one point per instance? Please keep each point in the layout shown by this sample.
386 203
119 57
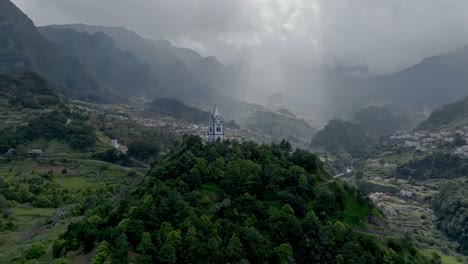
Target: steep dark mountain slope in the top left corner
23 48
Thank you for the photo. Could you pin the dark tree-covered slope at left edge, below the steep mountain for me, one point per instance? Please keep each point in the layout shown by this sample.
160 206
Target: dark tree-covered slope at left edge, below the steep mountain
41 114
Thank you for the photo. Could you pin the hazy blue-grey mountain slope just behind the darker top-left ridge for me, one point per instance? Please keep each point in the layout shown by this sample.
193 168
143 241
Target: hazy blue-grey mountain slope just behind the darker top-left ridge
114 69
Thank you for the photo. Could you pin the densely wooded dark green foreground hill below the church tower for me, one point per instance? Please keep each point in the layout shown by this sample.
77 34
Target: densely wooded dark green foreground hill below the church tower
233 203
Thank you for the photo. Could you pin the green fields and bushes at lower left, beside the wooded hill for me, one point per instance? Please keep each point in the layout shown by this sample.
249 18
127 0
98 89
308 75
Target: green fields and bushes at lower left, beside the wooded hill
38 201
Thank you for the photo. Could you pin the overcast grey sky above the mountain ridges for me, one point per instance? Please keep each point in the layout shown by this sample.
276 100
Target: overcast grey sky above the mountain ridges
385 35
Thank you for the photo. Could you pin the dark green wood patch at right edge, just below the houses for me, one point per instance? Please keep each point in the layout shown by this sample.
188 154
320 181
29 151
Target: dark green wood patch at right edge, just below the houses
438 165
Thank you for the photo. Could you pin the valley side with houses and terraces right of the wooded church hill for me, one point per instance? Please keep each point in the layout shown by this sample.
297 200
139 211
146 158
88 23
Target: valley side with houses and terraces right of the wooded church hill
404 175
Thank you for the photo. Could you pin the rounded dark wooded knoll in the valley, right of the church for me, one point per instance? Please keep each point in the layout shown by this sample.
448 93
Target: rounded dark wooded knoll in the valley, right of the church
343 137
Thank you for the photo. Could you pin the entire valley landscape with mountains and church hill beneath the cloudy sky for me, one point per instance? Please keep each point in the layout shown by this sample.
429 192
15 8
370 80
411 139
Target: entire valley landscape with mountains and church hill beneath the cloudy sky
118 148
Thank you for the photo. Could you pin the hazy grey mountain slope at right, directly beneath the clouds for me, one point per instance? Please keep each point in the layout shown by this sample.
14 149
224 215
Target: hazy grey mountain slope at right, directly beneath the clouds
432 82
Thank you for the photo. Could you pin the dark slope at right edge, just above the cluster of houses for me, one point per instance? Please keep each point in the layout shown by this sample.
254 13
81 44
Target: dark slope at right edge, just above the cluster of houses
454 114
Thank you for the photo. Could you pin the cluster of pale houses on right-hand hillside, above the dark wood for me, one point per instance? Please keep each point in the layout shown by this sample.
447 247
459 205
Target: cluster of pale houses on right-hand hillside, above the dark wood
429 141
